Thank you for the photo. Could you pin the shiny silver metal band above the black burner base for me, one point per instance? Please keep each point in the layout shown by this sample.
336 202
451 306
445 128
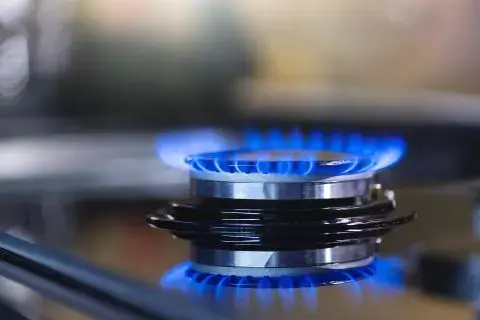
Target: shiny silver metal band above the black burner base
280 190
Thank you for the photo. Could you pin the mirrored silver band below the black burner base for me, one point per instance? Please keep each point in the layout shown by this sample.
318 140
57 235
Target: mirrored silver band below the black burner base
284 259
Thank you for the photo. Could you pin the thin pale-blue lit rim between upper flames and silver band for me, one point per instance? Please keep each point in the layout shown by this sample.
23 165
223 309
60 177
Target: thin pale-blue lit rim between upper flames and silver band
243 177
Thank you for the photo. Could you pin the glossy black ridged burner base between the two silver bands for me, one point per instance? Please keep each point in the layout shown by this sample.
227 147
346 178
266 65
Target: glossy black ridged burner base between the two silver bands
264 225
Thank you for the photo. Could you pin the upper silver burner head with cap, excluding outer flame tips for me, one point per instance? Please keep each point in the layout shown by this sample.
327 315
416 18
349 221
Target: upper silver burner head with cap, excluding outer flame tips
279 175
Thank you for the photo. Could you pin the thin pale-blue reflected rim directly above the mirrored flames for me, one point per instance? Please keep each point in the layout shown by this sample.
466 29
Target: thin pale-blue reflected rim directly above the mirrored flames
279 272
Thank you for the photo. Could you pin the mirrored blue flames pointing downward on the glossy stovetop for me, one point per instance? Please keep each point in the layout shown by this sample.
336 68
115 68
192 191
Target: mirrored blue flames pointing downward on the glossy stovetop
383 273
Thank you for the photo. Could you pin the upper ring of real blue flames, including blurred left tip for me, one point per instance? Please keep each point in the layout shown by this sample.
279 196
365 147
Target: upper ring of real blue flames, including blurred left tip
209 150
